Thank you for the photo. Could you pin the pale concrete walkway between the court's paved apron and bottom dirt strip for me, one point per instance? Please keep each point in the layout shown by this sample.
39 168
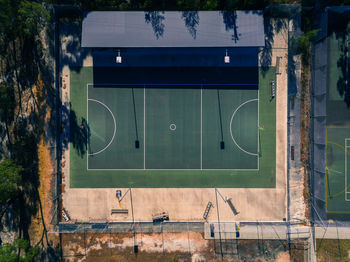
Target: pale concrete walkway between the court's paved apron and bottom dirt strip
248 230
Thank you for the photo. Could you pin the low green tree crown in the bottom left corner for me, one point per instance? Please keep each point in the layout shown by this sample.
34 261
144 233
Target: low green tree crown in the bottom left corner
19 250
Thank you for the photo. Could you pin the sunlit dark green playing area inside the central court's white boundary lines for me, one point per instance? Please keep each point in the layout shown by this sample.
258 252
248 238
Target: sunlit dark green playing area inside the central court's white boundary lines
179 127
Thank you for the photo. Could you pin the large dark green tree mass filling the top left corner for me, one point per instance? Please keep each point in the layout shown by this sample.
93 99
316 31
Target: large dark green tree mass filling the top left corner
20 23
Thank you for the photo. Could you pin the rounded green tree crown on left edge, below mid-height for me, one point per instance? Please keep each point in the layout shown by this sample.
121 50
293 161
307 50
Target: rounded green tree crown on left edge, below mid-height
9 179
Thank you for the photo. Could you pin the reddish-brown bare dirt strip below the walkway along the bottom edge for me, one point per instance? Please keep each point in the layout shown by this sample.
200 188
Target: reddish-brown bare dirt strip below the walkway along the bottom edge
169 246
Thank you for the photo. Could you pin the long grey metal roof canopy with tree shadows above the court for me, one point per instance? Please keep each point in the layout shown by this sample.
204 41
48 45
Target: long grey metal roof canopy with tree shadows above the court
173 29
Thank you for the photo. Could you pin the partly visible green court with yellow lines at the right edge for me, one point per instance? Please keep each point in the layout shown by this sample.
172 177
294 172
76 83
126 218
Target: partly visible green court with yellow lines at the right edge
338 125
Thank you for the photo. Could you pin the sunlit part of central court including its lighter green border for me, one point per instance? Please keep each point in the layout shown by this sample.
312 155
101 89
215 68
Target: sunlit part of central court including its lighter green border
172 135
